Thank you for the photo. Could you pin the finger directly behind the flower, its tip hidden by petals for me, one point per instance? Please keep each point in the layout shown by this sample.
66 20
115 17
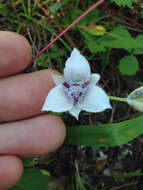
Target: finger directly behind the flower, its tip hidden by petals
22 96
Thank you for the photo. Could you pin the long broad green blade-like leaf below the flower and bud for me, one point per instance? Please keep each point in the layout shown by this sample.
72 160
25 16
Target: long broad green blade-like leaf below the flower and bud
106 134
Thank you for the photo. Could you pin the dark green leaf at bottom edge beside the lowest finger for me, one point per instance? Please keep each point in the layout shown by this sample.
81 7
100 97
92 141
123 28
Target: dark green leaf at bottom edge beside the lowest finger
32 179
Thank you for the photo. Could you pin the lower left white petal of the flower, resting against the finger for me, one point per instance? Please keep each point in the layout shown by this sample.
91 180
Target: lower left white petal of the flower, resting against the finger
57 101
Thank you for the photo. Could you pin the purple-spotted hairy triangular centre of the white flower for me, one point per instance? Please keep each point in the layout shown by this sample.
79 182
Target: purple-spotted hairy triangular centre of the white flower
75 91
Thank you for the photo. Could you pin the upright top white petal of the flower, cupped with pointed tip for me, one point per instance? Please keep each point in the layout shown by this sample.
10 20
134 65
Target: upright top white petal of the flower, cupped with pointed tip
77 67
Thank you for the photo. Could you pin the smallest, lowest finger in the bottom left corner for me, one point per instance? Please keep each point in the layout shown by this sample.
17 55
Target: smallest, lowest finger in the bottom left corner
10 171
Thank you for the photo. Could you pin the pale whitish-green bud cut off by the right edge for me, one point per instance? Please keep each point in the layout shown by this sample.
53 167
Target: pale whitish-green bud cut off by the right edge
135 99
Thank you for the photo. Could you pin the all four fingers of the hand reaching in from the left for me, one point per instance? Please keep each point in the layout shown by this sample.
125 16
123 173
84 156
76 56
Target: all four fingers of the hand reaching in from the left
25 131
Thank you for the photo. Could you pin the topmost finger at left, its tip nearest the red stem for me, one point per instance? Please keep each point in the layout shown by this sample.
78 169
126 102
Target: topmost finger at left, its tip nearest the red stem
15 53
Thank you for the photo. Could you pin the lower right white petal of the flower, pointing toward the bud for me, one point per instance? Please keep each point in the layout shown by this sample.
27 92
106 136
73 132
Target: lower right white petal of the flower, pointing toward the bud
96 100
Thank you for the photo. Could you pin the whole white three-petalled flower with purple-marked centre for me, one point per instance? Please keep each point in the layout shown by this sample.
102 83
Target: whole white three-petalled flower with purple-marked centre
77 89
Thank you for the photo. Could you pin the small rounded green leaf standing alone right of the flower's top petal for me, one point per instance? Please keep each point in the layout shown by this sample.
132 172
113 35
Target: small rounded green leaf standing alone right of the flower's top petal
129 65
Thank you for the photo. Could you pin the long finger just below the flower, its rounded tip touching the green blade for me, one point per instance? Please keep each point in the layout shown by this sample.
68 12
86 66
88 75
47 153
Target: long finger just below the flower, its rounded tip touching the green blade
36 136
